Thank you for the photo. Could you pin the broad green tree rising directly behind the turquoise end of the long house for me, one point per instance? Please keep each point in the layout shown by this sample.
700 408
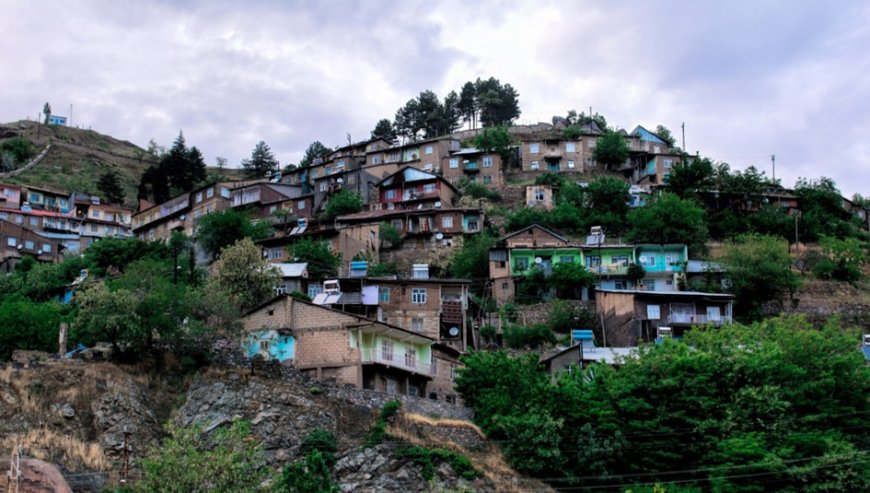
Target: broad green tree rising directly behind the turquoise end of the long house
668 219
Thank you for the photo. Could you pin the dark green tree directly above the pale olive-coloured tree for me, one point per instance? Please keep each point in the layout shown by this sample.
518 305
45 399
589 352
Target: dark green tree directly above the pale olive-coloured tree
223 228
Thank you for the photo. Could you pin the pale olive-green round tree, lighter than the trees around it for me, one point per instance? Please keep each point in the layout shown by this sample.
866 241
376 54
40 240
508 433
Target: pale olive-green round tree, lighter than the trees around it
243 273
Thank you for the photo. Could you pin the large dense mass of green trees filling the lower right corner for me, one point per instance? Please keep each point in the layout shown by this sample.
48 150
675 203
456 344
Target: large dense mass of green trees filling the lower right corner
775 406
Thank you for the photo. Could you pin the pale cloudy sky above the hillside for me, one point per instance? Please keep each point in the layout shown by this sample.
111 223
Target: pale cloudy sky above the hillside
748 78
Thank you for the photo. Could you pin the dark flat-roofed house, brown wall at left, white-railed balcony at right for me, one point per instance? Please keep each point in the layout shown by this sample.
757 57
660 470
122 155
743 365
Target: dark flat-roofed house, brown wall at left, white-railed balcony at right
632 316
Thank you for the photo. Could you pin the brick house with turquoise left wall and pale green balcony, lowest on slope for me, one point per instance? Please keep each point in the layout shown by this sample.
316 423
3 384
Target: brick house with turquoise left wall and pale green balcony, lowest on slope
329 344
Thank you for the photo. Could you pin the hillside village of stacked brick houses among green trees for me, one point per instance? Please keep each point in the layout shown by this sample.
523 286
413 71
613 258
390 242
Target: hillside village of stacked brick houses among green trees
388 262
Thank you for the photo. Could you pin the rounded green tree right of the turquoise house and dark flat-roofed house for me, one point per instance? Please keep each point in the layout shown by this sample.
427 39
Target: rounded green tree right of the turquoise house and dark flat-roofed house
758 268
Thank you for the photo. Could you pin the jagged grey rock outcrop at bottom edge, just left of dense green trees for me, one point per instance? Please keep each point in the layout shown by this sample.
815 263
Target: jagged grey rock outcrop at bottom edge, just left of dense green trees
377 470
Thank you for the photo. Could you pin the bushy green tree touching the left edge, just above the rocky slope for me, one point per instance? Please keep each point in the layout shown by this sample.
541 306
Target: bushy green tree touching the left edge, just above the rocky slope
26 324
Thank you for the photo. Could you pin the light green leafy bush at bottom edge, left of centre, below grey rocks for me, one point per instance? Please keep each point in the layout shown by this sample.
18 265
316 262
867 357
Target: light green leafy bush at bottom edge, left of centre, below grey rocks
226 461
